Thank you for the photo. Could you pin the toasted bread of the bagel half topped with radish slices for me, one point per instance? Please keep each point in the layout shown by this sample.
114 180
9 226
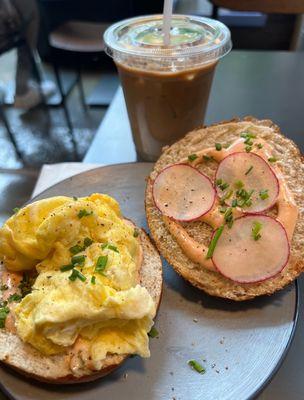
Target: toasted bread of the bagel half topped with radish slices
291 164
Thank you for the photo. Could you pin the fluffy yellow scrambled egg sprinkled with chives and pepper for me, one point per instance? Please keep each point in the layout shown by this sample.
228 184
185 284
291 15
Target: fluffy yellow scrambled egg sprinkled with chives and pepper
87 258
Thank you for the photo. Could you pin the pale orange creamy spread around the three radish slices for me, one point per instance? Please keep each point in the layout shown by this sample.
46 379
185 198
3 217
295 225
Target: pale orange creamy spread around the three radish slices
287 210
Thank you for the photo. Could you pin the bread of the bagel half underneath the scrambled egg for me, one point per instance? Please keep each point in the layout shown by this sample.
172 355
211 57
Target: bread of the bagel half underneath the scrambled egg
55 369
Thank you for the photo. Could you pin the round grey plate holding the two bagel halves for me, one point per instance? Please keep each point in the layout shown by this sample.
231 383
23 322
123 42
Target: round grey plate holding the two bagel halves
235 339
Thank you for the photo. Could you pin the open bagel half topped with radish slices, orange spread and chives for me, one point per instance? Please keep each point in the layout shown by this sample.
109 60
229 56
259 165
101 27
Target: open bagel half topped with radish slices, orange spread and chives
225 208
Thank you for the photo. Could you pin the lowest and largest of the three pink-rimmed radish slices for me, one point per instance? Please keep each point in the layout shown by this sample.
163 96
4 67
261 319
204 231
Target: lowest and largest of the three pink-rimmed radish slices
241 258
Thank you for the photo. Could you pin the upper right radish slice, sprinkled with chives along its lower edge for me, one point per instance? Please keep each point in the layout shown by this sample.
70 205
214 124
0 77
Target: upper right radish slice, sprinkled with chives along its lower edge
250 172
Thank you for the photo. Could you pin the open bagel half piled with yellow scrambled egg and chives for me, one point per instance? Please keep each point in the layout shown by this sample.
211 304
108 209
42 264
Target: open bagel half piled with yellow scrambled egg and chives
80 287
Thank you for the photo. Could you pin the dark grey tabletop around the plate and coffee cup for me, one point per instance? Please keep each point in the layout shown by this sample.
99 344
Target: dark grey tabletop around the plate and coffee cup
262 84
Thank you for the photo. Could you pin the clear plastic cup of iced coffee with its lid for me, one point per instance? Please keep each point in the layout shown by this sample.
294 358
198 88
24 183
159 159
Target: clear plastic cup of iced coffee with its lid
166 88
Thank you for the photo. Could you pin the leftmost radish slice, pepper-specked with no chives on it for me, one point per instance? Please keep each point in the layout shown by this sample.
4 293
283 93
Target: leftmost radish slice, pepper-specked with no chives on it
183 193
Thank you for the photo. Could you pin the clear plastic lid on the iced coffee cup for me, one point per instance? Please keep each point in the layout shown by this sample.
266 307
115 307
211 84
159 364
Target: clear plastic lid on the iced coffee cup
204 38
